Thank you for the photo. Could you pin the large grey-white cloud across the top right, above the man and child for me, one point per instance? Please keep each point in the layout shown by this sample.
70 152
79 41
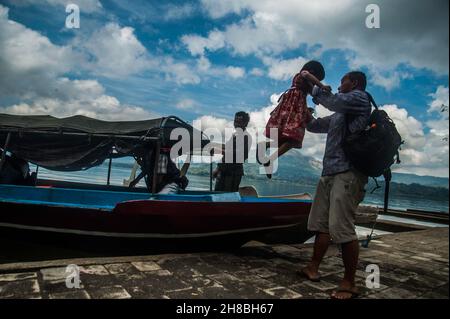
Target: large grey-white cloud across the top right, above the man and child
268 28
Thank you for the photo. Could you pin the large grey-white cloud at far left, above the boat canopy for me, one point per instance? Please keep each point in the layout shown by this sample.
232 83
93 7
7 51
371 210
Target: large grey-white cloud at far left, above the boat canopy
33 75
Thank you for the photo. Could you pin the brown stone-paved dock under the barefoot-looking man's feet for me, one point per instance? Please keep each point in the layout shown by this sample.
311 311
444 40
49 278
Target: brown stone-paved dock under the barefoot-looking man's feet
411 265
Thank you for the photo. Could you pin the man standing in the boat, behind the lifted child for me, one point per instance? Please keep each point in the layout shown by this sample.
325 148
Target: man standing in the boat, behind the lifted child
229 172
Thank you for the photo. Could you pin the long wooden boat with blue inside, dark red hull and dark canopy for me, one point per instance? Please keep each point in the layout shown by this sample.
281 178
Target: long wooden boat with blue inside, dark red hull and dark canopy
124 215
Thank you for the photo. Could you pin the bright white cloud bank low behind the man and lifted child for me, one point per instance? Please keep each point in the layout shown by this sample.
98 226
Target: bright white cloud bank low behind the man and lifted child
422 154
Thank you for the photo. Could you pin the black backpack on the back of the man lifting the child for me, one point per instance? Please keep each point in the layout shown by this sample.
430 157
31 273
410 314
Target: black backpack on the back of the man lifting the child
374 150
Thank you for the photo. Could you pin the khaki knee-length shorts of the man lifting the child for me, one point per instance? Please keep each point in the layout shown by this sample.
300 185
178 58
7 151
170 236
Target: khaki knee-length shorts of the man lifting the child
334 208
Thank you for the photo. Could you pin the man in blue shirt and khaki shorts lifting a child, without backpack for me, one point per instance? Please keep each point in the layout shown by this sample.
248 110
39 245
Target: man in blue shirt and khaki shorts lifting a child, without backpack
341 187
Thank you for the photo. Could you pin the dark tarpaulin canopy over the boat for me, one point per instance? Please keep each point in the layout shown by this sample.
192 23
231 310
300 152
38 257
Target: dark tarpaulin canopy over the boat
79 142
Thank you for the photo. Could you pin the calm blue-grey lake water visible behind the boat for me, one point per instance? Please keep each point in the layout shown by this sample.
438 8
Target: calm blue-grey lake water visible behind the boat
98 175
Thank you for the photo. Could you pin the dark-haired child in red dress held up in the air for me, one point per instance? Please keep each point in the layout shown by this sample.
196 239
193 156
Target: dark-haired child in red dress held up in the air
291 114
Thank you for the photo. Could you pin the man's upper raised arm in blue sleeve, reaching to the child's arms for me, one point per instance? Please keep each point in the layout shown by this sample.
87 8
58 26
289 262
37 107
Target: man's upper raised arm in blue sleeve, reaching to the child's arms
342 102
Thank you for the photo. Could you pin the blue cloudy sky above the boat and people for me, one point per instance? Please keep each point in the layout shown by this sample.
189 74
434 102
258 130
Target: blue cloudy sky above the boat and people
204 60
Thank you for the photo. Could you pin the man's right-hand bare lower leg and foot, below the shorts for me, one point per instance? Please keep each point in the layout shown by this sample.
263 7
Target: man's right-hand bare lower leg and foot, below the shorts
350 255
